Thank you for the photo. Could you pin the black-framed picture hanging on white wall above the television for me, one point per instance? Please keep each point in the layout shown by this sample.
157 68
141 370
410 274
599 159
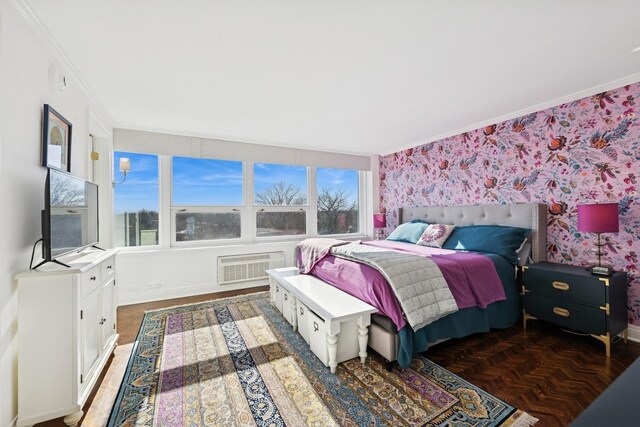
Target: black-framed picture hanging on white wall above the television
56 140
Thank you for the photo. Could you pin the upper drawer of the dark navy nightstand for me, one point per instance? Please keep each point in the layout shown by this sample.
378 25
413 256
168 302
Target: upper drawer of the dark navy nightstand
582 289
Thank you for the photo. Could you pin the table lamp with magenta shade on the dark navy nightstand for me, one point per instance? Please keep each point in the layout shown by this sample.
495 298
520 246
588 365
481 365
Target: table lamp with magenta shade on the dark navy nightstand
599 218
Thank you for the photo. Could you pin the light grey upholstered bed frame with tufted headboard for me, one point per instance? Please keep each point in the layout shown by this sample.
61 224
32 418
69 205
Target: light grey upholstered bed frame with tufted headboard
530 215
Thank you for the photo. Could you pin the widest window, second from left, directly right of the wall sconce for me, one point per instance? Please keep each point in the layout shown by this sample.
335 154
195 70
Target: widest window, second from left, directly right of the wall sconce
205 199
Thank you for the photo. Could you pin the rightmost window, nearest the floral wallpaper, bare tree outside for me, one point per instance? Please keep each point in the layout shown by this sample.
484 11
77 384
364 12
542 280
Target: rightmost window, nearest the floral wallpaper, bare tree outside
338 201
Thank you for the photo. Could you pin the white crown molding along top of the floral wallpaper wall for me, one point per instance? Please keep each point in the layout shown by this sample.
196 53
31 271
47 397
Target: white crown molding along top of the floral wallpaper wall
633 78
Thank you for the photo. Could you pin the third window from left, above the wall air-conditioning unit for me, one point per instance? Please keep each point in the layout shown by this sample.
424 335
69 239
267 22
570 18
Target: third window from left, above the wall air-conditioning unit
280 199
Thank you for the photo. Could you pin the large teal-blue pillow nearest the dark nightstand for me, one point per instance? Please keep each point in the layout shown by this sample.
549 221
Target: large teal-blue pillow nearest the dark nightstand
497 239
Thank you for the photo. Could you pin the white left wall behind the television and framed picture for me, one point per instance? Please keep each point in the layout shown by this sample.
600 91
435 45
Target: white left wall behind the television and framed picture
24 88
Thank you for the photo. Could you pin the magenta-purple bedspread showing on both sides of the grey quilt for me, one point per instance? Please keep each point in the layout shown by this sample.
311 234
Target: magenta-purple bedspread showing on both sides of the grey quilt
472 278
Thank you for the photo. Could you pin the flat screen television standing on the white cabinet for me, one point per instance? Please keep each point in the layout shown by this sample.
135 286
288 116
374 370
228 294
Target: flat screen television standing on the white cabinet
70 215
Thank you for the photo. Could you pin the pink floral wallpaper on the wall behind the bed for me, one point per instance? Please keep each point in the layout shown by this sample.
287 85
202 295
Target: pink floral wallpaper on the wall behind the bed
583 151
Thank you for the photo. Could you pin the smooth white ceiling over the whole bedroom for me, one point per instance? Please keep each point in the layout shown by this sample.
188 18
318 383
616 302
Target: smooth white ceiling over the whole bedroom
358 76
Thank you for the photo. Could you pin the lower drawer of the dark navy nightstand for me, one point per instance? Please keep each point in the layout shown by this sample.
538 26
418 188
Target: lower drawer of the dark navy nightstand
567 314
